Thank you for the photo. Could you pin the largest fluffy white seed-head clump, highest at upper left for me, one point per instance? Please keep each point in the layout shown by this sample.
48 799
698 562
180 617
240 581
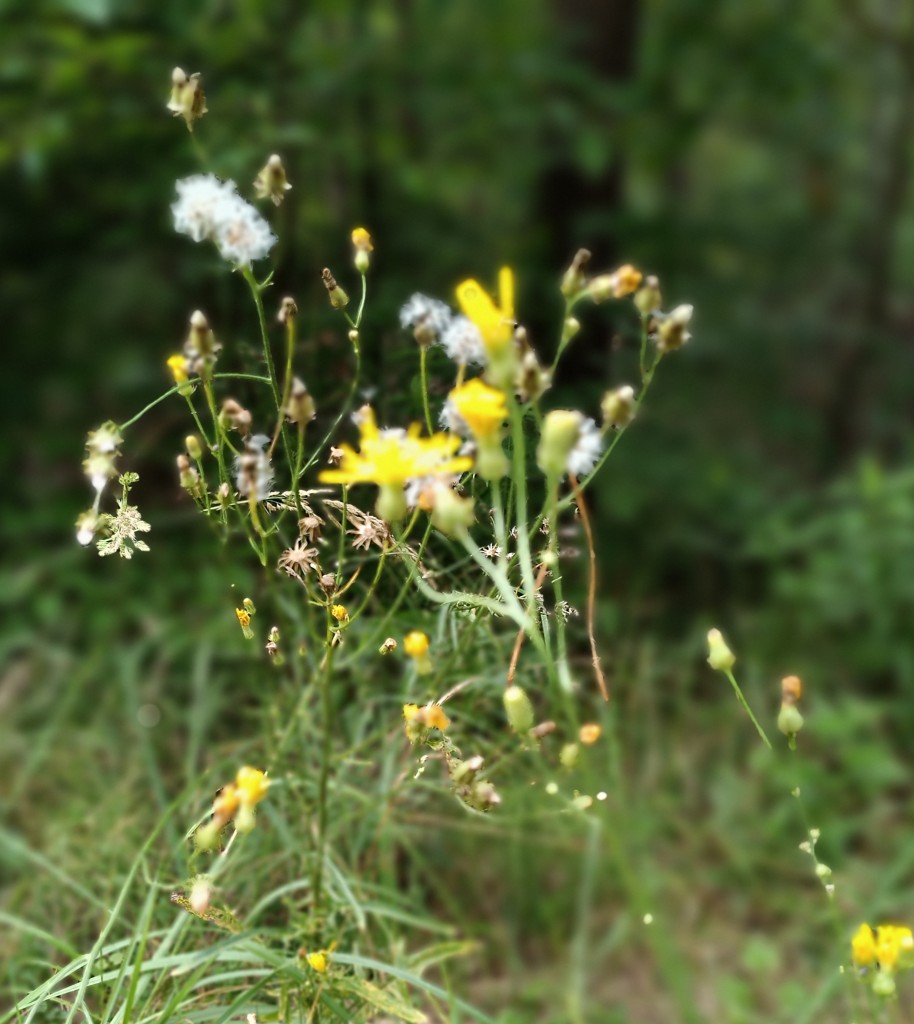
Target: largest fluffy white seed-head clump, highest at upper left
210 209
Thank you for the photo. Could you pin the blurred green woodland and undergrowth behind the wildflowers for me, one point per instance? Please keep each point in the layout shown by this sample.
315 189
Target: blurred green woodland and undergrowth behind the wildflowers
755 154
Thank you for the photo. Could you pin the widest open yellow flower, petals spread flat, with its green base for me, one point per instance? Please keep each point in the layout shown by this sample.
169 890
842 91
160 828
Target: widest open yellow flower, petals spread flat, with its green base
390 458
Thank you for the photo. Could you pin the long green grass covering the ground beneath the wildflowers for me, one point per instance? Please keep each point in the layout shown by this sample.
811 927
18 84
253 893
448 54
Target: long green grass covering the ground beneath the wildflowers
534 913
